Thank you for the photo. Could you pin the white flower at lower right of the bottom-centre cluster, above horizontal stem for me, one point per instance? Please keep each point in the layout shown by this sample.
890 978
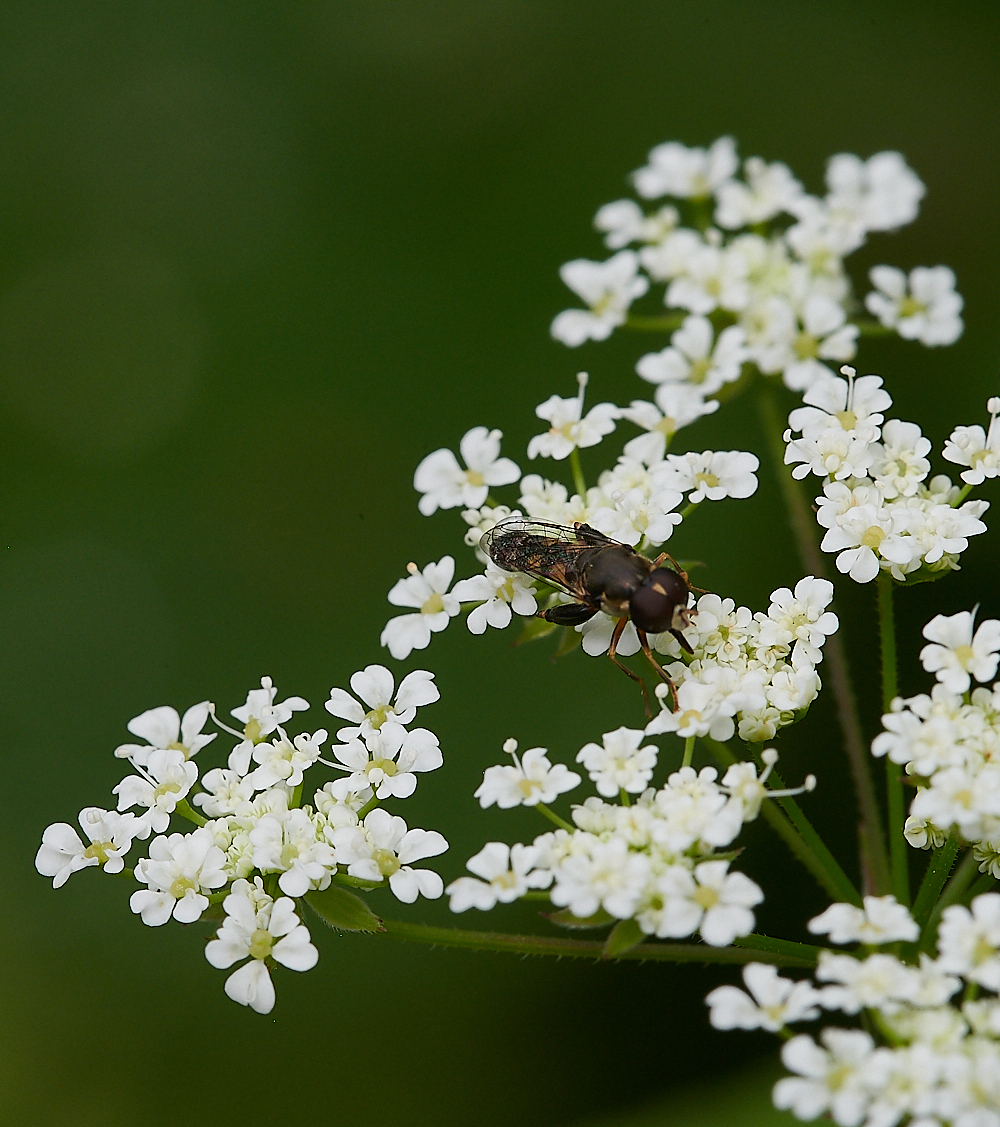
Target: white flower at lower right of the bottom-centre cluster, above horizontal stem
712 901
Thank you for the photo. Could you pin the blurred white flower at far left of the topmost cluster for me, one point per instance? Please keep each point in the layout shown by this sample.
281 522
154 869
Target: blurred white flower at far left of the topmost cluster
608 289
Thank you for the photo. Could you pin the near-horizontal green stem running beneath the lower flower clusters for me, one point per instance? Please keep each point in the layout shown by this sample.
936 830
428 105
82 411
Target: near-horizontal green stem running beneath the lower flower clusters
590 949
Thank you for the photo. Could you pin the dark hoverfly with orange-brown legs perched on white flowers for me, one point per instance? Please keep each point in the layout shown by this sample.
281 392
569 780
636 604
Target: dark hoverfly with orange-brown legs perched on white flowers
601 575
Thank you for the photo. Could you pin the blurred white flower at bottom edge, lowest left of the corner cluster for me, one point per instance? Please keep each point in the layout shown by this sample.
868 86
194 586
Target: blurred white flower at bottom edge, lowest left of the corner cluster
831 1079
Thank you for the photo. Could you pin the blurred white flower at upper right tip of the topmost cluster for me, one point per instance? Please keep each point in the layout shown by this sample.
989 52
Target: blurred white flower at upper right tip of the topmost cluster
882 192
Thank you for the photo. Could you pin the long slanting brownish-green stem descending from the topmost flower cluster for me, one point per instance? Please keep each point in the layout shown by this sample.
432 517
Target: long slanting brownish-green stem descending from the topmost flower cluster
874 860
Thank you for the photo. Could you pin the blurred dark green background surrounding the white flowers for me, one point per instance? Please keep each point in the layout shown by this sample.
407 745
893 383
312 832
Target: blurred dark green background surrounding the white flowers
255 262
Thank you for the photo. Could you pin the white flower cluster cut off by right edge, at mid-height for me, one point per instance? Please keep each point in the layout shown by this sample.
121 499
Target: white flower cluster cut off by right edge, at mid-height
949 742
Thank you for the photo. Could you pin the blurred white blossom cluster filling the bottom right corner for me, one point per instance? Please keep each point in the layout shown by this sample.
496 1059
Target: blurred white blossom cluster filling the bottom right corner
928 1057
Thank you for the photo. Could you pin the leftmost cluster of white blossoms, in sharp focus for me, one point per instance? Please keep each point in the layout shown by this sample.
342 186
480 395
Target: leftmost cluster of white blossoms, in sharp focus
258 850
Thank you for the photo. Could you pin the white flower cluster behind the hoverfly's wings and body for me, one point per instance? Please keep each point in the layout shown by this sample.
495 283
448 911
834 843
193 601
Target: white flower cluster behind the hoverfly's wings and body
636 503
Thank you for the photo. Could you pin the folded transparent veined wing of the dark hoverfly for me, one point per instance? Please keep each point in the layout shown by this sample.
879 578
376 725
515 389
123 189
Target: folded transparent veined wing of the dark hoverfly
554 553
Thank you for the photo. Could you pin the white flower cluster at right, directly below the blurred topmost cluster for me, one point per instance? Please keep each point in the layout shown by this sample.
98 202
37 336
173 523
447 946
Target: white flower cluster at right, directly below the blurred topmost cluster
878 508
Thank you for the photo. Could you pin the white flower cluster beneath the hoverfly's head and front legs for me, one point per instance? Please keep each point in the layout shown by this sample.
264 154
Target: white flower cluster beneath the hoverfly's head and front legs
747 673
